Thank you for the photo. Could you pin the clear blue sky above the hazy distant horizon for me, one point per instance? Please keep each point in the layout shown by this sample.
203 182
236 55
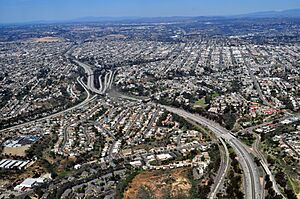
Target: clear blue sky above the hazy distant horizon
12 11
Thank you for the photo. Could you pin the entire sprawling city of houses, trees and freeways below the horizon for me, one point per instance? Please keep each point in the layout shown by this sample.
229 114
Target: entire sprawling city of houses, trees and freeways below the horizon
178 107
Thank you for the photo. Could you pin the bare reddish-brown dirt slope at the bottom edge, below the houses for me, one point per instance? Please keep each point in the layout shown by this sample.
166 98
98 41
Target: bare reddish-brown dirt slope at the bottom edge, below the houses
159 184
